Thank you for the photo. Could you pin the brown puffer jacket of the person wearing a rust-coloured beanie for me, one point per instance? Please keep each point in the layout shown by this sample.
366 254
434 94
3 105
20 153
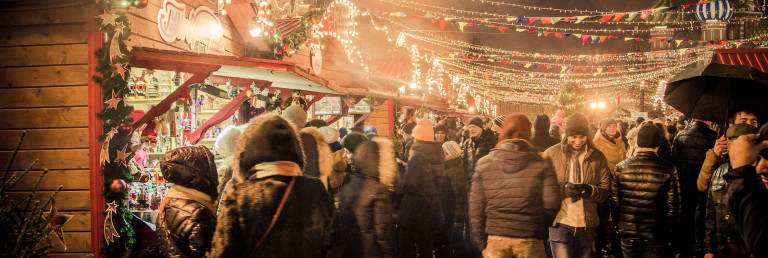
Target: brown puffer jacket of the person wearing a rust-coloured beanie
514 193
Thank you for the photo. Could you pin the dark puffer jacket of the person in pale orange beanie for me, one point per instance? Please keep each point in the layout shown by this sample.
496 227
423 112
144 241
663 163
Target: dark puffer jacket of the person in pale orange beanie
420 208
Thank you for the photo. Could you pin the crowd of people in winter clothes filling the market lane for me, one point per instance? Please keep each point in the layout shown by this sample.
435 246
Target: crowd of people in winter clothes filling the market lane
496 187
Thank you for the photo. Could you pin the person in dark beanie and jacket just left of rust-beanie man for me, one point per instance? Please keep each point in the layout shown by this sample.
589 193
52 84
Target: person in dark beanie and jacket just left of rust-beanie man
478 145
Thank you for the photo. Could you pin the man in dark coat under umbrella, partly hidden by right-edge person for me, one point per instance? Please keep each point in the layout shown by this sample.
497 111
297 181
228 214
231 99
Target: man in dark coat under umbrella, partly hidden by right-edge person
722 238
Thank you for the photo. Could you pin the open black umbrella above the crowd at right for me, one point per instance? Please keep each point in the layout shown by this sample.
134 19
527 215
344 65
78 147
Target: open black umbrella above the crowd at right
711 92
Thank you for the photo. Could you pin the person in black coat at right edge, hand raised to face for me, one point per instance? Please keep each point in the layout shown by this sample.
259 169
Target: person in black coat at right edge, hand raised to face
747 197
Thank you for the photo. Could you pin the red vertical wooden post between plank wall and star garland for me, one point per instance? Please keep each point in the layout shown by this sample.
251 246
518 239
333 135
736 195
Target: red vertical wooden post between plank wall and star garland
95 102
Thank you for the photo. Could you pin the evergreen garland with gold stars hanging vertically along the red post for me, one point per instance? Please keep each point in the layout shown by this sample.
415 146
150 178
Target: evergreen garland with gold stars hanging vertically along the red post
113 82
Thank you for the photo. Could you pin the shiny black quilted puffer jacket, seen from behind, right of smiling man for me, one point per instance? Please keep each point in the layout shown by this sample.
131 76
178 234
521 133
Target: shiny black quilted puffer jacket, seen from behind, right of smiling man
645 198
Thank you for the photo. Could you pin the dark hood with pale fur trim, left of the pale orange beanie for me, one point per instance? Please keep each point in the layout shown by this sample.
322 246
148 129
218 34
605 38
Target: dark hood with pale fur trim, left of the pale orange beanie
376 159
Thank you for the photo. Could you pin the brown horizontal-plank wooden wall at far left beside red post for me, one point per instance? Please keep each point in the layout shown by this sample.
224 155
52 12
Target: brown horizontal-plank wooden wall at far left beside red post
43 90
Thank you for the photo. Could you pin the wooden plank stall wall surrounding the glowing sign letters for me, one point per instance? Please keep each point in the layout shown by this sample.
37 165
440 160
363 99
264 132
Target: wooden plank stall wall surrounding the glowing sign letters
145 32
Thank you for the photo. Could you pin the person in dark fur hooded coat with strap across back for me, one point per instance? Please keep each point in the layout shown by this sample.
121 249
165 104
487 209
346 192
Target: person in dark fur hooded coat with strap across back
269 162
